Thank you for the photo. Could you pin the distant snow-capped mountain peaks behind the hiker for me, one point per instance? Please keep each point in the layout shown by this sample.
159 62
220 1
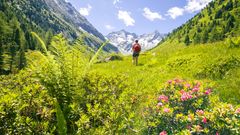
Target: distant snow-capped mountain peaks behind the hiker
123 40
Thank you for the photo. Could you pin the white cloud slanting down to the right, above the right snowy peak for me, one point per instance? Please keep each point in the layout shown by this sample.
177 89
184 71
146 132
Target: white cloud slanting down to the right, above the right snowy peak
151 15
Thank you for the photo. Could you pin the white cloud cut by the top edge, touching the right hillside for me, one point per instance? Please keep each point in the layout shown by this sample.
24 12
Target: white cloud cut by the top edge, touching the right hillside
195 5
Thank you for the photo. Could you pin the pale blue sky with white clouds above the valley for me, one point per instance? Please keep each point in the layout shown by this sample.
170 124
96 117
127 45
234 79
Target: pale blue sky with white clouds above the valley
138 16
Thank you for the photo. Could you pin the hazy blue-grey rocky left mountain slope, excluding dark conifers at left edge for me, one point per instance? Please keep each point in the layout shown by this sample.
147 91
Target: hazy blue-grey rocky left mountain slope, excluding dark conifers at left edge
58 16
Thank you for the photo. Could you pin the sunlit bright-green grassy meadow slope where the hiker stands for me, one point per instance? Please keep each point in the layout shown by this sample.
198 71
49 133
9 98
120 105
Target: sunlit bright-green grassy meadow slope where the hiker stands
174 60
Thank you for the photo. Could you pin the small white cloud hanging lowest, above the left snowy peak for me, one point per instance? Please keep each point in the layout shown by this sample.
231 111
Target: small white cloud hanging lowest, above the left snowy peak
126 18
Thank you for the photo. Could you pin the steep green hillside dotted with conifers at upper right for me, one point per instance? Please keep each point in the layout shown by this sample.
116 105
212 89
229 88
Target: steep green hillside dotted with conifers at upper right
218 21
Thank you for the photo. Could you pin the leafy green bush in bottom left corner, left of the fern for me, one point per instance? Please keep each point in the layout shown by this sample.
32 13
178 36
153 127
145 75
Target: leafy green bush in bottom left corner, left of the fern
25 106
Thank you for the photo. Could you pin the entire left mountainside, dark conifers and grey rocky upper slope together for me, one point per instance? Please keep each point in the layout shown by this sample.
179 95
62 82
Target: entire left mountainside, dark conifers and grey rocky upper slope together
20 18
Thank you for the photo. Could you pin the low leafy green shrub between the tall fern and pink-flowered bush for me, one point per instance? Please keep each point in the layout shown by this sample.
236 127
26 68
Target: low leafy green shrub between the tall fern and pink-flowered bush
107 107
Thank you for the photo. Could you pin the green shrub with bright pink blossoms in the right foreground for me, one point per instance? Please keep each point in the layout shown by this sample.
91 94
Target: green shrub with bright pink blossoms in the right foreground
191 108
